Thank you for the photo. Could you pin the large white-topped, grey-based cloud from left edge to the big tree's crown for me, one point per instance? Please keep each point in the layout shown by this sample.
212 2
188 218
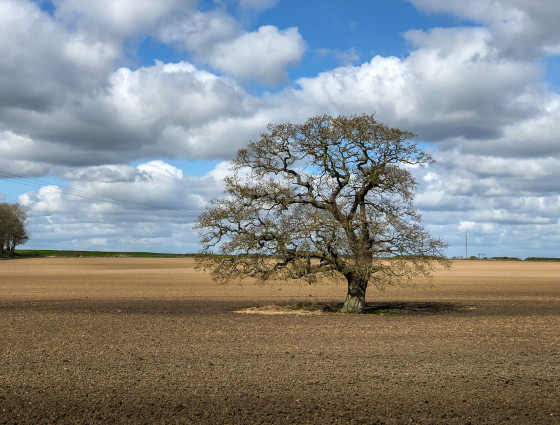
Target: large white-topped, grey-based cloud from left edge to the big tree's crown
167 109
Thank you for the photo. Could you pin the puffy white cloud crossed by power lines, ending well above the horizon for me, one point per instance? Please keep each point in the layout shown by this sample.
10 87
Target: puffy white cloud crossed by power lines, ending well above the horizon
153 188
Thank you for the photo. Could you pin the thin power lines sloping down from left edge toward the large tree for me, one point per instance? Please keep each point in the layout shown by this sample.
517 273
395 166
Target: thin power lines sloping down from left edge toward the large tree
36 183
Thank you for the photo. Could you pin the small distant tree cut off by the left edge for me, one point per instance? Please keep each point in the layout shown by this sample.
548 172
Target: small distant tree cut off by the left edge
13 219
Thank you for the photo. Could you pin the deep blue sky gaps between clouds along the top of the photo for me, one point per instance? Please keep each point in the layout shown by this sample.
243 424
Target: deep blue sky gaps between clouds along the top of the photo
358 29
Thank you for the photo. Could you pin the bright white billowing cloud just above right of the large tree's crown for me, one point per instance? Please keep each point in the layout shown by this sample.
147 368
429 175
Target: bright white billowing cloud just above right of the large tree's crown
451 85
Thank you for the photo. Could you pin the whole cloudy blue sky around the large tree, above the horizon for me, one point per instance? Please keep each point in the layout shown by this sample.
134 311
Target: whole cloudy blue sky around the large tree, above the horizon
118 117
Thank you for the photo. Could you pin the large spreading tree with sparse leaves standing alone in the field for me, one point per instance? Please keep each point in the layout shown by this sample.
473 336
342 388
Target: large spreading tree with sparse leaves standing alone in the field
332 197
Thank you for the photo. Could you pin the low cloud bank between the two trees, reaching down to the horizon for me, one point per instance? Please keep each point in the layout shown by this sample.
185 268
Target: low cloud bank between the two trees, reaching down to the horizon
147 207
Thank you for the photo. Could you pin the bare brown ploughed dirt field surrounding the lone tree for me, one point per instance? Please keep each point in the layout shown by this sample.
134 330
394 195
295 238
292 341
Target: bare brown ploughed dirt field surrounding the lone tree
148 341
